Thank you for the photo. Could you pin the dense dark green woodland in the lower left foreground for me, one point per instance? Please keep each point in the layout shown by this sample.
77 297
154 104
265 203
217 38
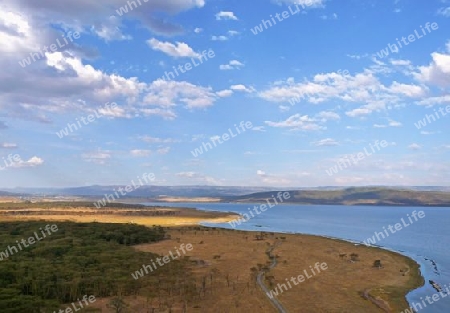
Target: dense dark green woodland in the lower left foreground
77 260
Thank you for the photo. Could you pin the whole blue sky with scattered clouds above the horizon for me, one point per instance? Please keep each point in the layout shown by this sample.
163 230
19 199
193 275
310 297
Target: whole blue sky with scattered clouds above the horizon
283 93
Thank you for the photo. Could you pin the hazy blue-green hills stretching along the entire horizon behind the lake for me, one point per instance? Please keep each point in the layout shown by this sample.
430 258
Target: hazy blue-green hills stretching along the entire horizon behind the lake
395 196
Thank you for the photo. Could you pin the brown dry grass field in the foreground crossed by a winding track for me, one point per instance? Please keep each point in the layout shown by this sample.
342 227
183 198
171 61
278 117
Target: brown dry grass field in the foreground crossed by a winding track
231 255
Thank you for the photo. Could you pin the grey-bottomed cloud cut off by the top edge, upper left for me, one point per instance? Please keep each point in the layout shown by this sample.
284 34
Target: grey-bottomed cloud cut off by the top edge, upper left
95 16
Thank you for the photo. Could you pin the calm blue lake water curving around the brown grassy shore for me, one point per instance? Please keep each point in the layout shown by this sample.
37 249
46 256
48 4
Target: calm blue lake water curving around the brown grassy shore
427 240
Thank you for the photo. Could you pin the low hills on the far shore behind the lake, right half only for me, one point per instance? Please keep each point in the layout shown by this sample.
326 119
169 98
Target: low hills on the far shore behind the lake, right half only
356 196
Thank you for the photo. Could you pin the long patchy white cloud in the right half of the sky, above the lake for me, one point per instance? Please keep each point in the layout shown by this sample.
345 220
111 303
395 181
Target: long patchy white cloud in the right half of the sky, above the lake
364 89
